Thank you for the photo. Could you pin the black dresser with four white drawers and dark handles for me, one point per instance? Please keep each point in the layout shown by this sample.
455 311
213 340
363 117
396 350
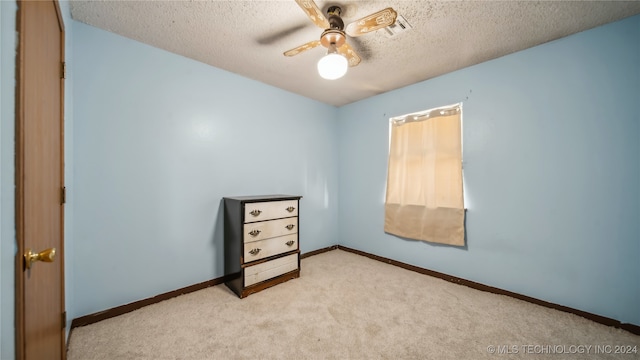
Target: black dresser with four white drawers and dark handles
260 242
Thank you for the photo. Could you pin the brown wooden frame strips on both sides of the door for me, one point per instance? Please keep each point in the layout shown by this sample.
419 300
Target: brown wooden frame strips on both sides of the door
20 335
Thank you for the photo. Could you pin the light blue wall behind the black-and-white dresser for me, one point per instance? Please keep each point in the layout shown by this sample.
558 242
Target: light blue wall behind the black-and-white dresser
158 141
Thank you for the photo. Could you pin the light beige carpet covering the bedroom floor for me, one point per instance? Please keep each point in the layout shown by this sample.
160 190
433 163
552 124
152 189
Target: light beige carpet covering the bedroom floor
346 306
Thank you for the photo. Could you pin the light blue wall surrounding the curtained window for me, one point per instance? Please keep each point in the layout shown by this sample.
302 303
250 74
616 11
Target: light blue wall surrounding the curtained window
552 172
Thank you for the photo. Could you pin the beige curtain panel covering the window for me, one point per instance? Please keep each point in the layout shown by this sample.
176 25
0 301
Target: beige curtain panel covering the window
424 185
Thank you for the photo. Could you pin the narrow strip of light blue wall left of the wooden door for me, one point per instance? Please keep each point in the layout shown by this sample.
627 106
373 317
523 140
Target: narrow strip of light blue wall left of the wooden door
8 46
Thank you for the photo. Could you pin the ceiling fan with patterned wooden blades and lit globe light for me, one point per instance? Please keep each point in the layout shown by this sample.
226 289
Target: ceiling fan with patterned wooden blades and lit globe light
340 54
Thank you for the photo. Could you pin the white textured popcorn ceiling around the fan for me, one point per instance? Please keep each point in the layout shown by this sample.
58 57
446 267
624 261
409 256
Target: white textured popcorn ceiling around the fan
249 37
